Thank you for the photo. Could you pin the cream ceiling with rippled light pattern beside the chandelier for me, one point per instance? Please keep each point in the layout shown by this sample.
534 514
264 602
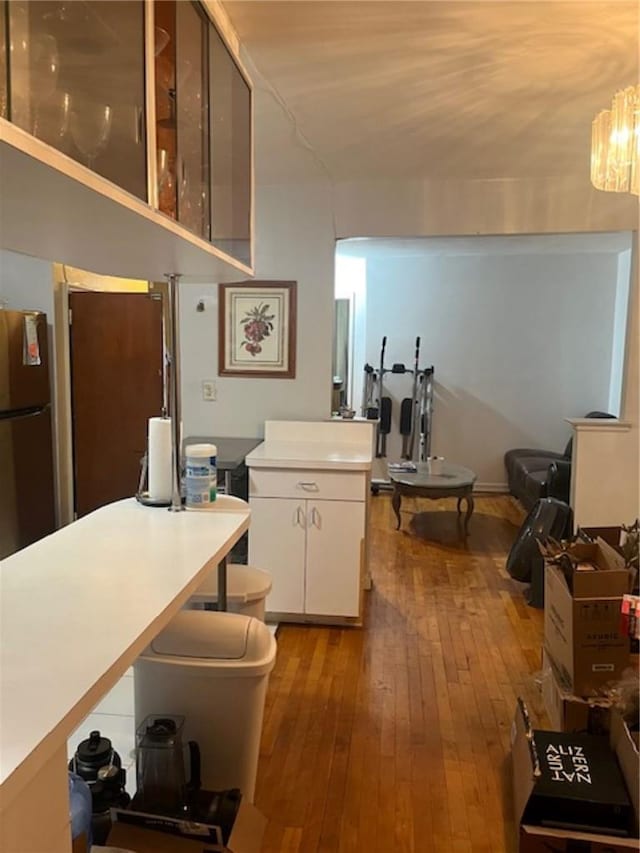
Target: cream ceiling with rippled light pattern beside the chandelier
437 89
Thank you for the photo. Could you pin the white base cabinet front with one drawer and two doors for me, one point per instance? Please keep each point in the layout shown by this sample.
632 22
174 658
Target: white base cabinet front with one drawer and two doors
308 530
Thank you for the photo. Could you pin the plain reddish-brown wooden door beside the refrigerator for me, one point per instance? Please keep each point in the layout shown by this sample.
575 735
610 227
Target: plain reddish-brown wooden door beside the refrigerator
116 386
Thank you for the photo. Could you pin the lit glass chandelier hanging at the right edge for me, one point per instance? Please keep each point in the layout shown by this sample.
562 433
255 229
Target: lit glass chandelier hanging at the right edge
615 144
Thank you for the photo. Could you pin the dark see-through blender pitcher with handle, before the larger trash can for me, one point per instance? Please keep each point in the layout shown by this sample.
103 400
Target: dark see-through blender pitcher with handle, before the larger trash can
160 774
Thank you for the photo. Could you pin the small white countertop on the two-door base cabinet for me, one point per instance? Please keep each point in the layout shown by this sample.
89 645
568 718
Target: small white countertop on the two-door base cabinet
310 454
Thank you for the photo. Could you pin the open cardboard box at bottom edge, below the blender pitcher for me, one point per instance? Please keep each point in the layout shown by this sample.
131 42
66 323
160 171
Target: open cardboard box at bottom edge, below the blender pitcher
246 836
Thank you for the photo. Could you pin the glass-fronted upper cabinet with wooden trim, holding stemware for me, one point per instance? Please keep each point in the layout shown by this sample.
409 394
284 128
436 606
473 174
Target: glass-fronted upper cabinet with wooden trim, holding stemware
145 94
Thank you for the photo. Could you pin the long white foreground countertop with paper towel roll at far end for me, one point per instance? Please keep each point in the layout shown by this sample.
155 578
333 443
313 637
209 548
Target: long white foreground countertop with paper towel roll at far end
76 609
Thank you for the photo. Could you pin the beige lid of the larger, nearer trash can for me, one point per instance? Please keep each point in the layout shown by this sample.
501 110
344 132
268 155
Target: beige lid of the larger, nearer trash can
208 634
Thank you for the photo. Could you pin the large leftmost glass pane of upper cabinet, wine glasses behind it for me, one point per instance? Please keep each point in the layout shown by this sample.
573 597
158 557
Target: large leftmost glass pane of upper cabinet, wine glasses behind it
77 82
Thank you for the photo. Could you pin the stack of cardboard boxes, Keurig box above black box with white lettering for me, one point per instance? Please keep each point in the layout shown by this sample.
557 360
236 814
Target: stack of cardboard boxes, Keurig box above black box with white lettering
573 790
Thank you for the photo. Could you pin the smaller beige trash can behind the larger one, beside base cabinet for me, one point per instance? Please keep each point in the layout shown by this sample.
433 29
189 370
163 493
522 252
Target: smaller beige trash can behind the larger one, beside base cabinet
247 589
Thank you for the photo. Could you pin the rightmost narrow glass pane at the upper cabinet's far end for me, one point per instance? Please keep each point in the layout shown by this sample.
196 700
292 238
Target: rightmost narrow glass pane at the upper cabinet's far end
230 105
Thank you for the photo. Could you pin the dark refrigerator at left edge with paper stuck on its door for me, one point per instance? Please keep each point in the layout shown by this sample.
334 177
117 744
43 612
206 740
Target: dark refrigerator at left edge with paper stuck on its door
27 501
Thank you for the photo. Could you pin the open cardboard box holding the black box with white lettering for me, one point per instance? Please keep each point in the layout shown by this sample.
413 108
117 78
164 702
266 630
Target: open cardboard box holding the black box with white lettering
542 839
